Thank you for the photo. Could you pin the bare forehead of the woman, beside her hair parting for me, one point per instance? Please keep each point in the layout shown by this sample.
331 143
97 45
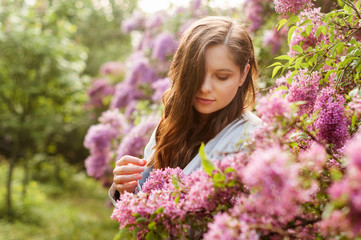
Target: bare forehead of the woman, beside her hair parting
219 57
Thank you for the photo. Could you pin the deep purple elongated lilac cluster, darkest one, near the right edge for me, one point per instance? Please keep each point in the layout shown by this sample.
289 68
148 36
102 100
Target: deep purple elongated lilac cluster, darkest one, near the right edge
331 124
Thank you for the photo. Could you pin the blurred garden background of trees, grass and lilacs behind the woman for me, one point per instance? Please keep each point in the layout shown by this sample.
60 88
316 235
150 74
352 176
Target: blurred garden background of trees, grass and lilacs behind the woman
81 85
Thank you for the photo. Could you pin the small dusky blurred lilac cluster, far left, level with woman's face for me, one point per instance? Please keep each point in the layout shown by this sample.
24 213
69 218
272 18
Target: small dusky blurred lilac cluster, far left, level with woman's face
99 89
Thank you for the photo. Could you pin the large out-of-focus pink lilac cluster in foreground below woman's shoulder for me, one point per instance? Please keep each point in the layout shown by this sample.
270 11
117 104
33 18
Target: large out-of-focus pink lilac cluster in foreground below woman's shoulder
275 178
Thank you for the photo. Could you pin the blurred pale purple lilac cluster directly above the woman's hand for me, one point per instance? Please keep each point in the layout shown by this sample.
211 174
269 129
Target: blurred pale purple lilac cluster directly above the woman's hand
136 139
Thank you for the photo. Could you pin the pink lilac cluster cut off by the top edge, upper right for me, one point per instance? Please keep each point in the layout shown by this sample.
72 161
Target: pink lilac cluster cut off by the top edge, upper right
291 6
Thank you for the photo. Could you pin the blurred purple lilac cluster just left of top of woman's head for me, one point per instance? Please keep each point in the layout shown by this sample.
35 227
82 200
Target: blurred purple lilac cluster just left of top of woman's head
164 44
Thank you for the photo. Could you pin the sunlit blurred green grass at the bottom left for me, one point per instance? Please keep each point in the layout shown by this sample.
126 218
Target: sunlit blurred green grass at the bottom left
79 209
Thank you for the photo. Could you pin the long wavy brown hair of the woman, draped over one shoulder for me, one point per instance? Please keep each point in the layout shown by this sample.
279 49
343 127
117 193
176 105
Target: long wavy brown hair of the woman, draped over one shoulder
179 134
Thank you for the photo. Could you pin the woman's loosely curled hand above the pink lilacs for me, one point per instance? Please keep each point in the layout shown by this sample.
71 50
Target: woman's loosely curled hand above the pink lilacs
127 171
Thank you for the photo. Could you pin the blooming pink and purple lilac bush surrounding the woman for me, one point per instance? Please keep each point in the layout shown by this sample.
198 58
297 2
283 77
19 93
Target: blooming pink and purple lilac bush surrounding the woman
300 175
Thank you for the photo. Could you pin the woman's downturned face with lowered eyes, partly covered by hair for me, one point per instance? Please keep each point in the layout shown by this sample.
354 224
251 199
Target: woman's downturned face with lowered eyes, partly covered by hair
221 81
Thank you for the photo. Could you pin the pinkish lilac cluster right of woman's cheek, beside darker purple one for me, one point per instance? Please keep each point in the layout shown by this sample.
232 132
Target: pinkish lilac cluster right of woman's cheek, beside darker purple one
304 87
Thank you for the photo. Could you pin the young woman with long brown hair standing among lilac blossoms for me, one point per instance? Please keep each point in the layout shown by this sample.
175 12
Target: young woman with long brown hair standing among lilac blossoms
213 73
